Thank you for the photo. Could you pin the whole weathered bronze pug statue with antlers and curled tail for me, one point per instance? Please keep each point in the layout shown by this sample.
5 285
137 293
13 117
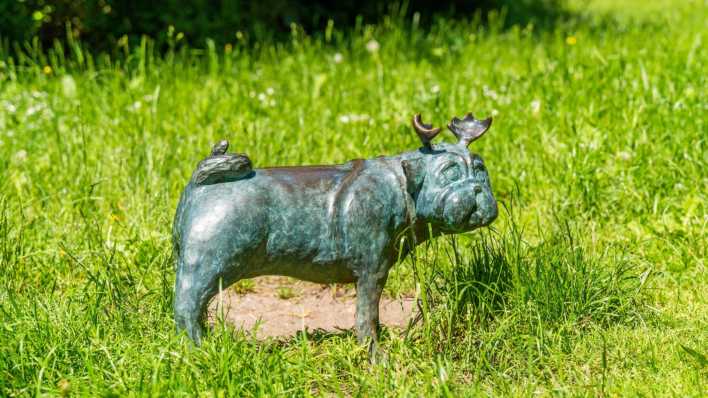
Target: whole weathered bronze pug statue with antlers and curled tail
341 223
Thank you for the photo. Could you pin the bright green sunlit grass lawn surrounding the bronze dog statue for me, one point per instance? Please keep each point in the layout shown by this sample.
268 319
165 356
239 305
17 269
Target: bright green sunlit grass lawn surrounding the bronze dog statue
591 282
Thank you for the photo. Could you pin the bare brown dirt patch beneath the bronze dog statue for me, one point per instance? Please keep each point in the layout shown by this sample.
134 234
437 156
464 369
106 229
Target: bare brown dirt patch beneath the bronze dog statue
282 307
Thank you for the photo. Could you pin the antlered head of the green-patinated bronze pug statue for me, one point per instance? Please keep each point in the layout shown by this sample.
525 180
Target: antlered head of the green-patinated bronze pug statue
450 184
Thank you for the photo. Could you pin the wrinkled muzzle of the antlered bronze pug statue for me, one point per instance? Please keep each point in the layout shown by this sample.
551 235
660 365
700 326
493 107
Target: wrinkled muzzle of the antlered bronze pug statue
467 206
